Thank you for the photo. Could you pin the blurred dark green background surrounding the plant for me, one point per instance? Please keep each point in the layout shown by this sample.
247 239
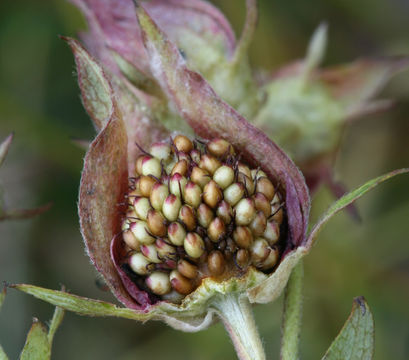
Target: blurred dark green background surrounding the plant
39 100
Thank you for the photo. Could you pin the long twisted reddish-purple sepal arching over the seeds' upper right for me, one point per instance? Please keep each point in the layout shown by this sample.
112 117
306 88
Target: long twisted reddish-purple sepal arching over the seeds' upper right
210 117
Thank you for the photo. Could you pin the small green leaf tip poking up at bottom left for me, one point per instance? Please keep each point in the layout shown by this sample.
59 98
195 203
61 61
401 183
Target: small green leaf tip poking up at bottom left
37 346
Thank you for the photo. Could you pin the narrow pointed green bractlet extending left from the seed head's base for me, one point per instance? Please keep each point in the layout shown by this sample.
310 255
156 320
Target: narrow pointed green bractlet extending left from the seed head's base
81 305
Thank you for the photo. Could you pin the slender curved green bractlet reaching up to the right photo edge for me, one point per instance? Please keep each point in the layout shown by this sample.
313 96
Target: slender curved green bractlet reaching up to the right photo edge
349 199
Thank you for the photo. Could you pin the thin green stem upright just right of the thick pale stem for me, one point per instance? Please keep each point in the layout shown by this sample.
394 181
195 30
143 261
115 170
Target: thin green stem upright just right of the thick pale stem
292 315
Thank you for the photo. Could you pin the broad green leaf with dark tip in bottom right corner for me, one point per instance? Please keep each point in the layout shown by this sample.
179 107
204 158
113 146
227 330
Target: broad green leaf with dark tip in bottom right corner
356 339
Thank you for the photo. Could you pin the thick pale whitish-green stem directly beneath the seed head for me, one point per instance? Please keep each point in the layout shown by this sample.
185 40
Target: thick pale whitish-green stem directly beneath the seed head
237 317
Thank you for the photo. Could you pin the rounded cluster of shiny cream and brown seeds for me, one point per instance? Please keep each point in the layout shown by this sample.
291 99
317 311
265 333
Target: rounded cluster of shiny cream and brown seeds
196 211
